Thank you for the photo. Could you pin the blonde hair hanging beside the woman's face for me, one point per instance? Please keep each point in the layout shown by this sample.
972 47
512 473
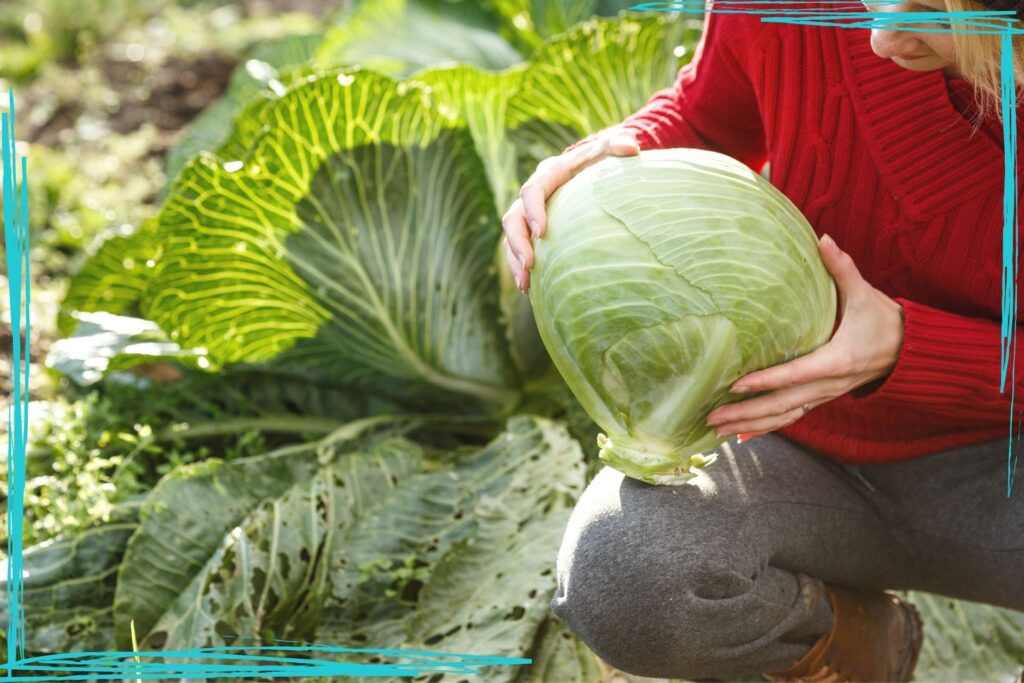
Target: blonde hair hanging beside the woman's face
979 61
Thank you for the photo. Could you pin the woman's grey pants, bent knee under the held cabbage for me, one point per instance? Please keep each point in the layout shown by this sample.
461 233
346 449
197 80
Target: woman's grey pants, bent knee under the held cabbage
726 576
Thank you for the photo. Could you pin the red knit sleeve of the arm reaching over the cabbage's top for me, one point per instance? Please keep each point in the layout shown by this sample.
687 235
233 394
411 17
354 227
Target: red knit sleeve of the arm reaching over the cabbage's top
712 105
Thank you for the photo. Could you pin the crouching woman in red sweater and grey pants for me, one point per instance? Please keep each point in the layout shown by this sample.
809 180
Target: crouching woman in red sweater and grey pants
881 460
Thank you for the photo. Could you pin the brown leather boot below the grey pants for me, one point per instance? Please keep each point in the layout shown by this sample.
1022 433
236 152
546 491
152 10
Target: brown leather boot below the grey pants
877 637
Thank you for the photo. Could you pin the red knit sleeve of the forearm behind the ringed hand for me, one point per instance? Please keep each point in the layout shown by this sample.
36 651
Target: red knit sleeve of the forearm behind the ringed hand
949 366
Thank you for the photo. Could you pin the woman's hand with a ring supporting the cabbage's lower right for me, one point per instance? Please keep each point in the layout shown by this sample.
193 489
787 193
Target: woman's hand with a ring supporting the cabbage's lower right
865 349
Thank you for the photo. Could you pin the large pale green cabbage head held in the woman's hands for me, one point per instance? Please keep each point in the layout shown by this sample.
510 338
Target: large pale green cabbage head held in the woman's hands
663 279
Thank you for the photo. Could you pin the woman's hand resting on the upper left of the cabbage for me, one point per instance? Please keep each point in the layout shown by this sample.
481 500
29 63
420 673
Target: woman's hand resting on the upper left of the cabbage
527 216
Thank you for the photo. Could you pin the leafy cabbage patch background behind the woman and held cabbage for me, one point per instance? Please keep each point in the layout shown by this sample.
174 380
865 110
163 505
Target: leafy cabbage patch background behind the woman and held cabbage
203 376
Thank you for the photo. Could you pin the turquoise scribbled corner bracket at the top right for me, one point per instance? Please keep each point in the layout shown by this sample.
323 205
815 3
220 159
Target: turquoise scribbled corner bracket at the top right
978 23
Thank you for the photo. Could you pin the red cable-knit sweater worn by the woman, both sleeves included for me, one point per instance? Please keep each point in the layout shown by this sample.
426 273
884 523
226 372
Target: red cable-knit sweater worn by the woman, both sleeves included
885 161
